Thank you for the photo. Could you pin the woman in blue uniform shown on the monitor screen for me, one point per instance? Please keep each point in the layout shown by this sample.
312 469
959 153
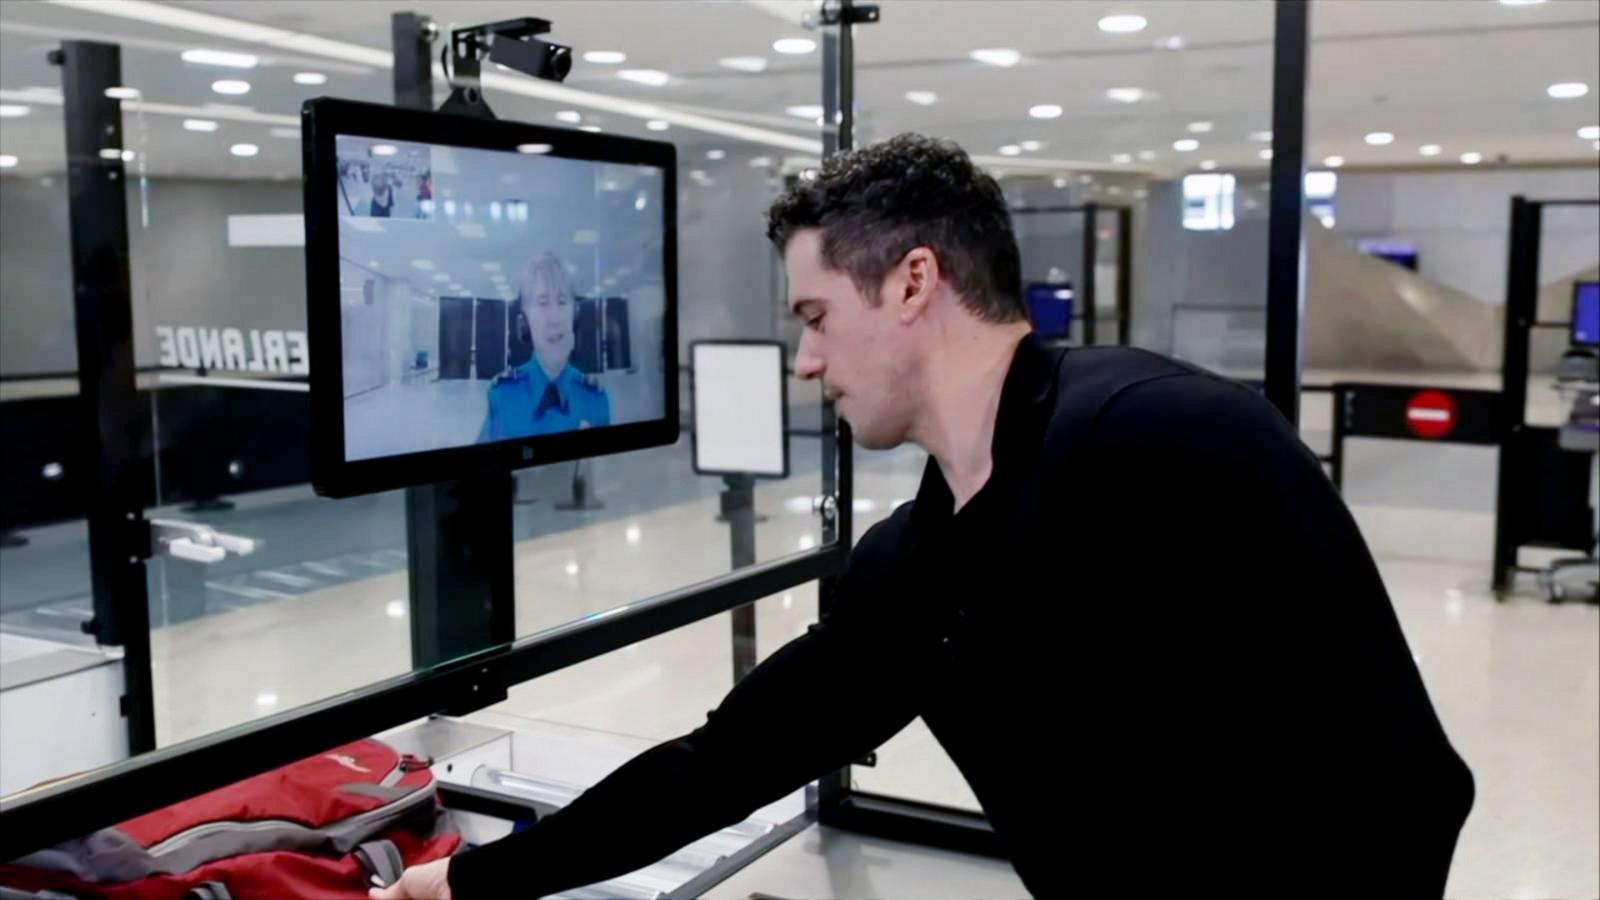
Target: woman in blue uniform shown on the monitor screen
546 395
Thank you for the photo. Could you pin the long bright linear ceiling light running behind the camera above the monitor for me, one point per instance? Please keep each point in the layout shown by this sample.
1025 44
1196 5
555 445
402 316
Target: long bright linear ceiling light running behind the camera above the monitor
247 33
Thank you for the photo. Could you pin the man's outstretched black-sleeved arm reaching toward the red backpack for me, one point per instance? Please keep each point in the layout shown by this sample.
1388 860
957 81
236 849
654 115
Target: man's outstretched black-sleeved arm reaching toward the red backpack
769 737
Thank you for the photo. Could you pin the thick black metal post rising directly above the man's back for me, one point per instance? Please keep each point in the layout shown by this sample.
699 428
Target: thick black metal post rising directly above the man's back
1286 243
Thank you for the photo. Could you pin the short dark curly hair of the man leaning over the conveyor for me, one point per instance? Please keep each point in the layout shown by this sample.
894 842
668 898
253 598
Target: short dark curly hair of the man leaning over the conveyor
876 204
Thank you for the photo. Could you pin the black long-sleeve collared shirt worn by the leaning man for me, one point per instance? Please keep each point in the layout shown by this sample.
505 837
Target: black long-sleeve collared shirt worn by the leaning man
1154 643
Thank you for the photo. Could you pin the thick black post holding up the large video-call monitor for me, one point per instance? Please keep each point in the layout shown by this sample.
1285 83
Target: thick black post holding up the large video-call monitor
458 534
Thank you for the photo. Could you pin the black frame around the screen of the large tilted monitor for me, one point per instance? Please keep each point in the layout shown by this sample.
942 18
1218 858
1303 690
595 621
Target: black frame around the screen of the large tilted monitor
335 476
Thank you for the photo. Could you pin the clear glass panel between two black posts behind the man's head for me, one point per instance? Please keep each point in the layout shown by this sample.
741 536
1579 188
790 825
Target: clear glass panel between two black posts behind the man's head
1074 115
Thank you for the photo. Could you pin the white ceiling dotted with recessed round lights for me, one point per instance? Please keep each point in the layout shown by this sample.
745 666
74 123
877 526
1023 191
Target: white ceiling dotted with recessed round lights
1466 74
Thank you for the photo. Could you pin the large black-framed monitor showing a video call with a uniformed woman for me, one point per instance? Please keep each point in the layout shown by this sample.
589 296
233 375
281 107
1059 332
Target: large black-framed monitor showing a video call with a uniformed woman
482 295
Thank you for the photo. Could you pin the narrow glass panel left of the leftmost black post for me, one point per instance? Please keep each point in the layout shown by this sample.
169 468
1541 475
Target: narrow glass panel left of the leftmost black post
46 590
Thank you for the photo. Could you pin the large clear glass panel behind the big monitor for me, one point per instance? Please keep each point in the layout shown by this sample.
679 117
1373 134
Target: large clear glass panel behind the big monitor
263 597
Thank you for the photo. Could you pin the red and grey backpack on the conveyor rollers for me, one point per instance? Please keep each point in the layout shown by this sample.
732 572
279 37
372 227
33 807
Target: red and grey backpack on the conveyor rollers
327 827
